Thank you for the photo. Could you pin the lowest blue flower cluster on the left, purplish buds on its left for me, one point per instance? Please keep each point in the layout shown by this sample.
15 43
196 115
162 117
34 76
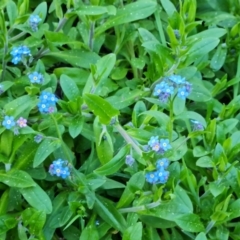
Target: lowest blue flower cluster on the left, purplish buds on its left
59 168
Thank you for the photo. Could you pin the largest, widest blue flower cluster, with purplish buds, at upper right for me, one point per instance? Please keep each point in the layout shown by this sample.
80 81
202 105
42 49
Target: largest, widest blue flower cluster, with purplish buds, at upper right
171 85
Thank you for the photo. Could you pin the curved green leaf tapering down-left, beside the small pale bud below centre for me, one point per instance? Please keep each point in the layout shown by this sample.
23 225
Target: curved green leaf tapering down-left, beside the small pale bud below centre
115 164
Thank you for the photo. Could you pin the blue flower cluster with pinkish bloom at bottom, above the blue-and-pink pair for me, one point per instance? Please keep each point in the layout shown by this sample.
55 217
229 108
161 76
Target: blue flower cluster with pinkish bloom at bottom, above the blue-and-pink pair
47 102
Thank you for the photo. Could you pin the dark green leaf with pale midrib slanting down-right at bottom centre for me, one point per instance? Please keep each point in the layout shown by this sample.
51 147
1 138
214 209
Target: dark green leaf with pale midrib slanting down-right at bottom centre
106 210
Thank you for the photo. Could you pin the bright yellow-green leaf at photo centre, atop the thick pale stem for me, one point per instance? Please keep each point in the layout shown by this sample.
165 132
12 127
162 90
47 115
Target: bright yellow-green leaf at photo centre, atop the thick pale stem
101 108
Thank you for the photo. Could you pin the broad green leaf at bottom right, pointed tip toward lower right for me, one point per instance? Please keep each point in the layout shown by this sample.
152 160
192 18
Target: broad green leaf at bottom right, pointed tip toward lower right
190 223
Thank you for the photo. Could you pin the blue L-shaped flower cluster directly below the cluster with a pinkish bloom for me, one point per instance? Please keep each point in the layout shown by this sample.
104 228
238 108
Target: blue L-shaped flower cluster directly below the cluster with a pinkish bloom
160 175
